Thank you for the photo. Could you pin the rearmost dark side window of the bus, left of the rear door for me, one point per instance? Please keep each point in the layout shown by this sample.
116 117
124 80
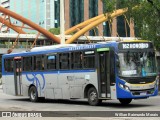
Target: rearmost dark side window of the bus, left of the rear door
8 65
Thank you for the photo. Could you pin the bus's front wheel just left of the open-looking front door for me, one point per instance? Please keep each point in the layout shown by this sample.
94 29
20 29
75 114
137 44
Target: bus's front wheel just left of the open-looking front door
93 97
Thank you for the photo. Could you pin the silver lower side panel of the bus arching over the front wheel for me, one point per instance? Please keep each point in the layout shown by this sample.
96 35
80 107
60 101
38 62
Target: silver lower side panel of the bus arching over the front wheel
73 84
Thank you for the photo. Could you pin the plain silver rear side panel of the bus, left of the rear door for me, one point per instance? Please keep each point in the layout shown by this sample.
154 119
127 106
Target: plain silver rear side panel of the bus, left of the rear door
8 84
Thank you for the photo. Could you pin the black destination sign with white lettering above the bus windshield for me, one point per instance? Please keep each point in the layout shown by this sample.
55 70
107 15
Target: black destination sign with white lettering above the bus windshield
124 46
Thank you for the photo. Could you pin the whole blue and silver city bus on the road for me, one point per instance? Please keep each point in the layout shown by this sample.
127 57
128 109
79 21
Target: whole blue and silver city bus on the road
122 70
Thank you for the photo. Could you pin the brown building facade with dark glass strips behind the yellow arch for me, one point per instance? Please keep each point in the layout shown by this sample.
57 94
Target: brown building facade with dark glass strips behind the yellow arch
77 11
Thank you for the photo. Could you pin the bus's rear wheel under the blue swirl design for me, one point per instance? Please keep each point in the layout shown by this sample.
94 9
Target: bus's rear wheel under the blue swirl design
33 94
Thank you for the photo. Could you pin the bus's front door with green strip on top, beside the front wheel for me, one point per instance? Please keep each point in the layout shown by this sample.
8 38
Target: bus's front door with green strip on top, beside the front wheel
104 72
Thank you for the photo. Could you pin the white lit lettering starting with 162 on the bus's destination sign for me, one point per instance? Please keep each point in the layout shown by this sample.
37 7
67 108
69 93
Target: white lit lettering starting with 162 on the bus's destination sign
135 45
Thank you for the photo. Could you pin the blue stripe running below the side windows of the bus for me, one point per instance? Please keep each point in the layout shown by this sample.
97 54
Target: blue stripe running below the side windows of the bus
53 72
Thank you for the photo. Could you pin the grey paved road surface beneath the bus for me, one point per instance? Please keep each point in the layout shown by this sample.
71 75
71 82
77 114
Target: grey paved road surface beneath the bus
18 103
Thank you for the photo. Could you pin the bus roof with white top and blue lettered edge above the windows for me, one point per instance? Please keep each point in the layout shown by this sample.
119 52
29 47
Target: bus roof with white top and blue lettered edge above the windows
67 47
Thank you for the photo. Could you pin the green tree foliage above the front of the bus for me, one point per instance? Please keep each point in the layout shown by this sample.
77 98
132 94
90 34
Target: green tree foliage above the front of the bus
146 15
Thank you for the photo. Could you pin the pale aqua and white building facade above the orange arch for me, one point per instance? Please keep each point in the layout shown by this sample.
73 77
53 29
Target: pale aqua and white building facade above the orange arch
38 11
